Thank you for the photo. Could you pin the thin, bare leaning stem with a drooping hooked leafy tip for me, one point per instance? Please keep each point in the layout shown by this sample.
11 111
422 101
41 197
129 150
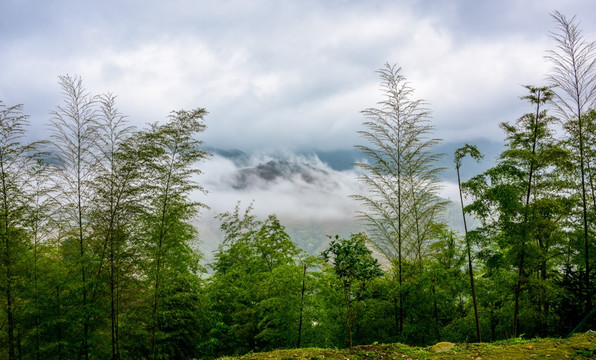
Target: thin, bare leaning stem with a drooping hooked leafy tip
460 153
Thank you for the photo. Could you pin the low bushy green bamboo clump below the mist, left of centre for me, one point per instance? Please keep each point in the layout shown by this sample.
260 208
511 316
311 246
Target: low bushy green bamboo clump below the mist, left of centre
257 283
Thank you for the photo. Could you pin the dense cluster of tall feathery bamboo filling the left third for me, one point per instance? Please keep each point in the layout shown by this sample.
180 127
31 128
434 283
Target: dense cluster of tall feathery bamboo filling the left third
96 256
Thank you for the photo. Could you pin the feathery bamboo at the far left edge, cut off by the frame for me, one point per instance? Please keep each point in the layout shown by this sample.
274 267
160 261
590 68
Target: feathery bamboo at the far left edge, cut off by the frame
17 193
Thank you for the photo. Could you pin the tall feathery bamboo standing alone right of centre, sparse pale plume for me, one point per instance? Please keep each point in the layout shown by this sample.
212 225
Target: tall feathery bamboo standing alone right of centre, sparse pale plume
402 179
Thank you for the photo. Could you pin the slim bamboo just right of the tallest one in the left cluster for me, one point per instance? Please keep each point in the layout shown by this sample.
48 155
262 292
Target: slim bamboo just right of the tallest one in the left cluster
116 200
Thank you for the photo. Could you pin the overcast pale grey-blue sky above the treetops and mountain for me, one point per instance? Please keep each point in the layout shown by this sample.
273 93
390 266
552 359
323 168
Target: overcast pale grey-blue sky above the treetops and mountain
283 74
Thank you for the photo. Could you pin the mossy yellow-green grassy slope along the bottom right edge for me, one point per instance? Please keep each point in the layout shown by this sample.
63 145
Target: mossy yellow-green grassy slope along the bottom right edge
581 346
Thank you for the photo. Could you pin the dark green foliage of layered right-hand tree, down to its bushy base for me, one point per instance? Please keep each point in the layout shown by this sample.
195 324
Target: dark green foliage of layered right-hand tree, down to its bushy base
522 202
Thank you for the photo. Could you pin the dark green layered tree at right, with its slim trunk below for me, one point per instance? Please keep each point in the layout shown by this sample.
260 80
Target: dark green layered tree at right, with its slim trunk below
522 200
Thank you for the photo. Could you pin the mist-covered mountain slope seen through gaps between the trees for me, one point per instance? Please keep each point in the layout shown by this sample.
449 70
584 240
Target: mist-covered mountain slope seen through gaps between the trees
310 197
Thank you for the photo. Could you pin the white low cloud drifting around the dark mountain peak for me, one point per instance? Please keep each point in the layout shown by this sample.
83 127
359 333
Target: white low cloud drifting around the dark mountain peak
307 190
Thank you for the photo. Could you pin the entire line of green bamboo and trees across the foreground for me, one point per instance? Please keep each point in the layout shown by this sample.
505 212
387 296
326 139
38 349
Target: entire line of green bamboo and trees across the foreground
97 255
